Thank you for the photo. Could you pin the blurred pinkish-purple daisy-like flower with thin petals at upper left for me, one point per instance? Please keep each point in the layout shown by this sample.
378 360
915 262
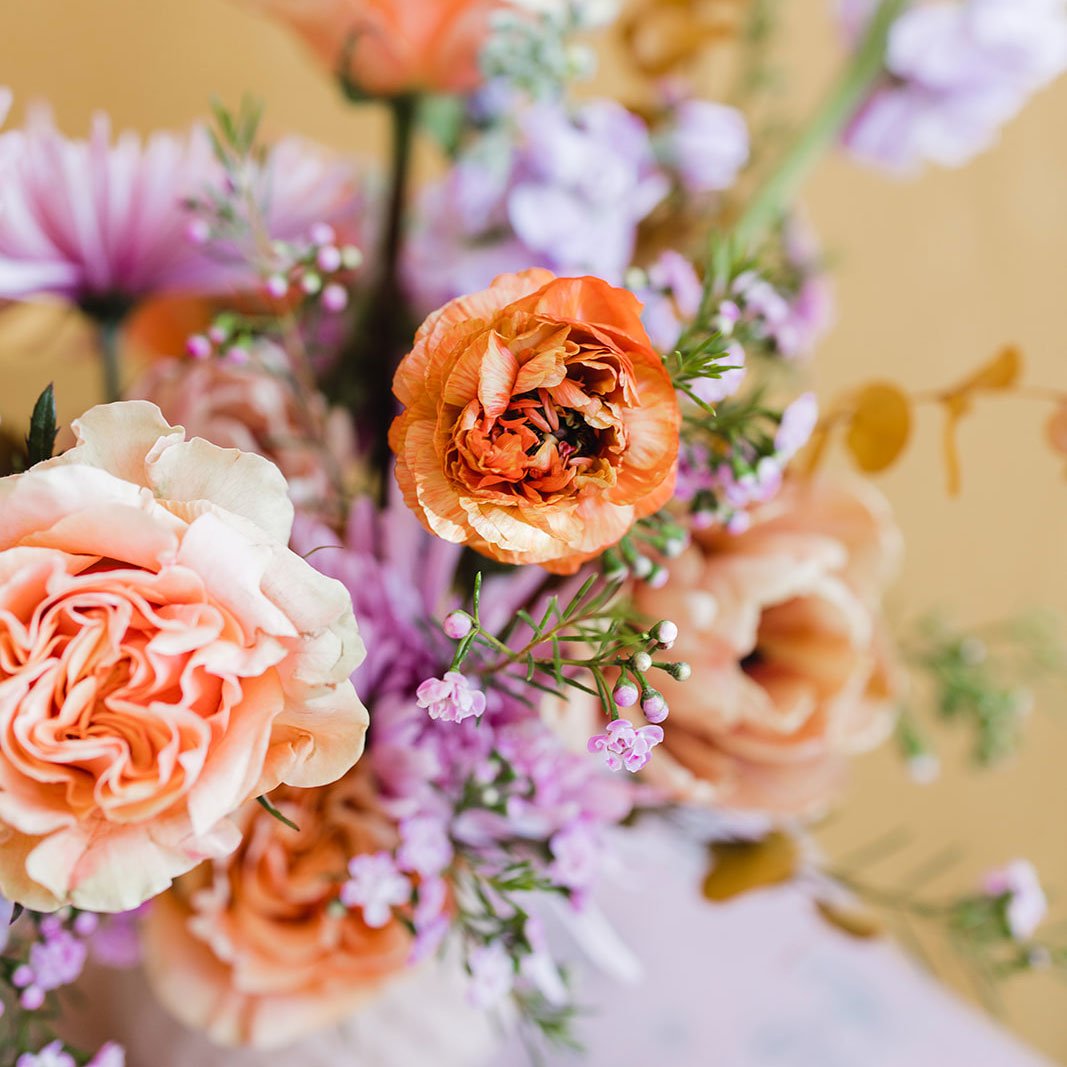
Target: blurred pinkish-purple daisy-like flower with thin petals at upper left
104 222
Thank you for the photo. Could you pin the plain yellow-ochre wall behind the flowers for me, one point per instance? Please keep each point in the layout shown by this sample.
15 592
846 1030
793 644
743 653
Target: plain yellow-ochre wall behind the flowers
933 276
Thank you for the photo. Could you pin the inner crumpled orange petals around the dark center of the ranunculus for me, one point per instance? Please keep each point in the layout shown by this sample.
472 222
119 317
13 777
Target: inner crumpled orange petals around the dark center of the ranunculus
549 420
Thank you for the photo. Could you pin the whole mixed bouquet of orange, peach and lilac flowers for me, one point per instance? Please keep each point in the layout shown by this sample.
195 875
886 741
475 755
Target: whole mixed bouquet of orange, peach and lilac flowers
437 543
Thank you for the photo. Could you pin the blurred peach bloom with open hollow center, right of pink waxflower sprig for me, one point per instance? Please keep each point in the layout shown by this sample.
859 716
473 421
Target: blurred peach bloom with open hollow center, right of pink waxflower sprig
783 629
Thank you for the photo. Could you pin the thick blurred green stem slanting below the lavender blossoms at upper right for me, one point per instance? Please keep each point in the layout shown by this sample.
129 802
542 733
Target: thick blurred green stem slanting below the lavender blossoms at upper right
771 201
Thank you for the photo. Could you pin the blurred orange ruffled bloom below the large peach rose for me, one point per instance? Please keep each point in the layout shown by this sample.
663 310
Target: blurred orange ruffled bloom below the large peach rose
254 949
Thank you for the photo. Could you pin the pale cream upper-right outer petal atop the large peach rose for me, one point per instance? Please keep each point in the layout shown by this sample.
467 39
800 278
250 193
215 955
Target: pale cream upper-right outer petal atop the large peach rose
242 483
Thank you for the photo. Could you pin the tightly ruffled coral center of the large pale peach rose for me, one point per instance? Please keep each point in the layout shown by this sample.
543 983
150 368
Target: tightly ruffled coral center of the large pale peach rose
115 683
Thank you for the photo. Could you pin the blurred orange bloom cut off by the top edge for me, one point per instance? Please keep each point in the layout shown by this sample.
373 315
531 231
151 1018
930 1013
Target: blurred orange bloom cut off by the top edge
390 47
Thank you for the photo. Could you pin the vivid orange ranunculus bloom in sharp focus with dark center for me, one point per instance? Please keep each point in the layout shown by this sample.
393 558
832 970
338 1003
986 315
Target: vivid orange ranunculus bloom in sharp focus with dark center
539 423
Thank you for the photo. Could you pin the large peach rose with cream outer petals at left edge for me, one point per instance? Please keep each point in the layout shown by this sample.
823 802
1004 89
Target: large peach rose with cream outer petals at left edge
164 658
